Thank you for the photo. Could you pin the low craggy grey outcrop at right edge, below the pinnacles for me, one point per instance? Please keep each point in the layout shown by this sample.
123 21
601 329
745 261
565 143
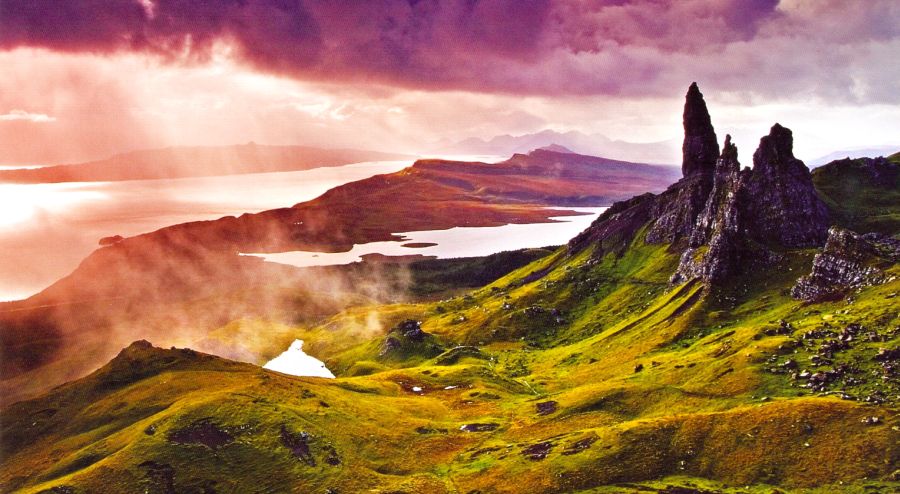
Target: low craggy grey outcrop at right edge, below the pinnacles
848 261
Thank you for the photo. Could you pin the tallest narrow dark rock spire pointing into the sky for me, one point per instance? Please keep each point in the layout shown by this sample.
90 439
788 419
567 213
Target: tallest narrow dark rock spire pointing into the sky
701 148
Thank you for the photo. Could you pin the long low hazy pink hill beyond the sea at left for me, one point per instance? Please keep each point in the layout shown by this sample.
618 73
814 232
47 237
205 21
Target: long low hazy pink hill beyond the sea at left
180 162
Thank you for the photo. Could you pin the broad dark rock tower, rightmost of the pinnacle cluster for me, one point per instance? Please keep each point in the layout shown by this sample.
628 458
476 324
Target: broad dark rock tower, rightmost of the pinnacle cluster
785 208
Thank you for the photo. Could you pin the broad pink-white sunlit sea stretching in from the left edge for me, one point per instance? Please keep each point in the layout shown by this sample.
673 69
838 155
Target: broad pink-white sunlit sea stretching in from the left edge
47 229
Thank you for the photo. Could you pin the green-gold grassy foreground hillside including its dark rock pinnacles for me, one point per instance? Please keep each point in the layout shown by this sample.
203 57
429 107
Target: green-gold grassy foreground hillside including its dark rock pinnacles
665 349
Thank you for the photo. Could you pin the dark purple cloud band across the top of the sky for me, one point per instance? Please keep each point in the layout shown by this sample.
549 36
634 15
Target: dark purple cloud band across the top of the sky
546 47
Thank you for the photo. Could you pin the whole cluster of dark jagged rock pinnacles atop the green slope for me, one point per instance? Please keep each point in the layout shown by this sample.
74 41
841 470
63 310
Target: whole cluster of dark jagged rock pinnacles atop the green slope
720 216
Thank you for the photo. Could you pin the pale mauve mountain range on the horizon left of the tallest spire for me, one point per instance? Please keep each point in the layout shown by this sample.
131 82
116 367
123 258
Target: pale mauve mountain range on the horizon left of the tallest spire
662 152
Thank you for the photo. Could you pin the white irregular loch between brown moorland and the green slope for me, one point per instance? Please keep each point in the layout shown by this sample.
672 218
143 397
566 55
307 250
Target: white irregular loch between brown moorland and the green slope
455 242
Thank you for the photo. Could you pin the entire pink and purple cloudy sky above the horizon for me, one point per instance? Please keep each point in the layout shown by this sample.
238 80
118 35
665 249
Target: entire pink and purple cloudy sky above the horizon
83 79
